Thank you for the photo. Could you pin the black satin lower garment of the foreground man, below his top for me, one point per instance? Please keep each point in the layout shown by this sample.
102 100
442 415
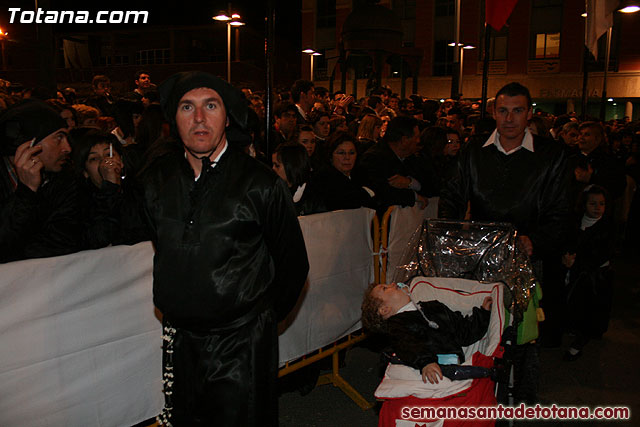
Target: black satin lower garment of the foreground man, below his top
225 379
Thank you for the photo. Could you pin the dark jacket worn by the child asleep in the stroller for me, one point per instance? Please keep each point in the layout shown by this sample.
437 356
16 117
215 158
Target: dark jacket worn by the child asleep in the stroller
417 344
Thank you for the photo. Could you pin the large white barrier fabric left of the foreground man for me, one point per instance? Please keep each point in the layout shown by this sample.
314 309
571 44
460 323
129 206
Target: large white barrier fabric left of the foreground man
81 345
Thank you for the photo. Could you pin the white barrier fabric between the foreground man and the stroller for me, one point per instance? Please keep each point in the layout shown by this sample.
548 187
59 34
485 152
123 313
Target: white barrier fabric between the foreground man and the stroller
339 247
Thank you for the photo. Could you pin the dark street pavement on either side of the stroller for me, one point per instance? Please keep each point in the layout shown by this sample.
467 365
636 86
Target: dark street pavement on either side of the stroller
607 374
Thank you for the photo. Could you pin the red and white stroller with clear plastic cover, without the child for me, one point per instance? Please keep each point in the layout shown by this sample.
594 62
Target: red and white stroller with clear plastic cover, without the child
460 263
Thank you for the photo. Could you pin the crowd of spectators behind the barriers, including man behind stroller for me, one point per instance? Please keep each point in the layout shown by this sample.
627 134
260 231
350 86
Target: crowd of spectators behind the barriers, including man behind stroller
72 168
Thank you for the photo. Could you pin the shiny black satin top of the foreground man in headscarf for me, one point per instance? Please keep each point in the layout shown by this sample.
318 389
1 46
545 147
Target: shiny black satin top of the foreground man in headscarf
225 244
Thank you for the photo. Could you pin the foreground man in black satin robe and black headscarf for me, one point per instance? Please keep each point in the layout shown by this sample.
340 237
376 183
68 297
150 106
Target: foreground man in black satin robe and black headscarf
230 260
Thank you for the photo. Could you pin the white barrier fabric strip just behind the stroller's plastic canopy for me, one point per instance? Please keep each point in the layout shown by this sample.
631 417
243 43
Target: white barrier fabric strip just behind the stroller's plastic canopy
403 223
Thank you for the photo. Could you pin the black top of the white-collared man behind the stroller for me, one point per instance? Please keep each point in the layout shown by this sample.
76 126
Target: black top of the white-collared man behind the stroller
526 189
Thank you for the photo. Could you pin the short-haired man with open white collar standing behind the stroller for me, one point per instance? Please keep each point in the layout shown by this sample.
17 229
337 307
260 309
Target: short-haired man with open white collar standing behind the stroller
522 179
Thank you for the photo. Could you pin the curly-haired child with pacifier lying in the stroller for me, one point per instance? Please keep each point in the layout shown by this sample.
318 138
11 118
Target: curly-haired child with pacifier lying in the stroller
425 335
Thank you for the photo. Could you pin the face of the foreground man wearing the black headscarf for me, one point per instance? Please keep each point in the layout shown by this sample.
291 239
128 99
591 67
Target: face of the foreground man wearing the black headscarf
201 120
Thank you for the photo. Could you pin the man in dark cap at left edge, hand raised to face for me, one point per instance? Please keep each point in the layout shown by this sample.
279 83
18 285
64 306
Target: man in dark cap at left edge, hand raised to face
38 198
